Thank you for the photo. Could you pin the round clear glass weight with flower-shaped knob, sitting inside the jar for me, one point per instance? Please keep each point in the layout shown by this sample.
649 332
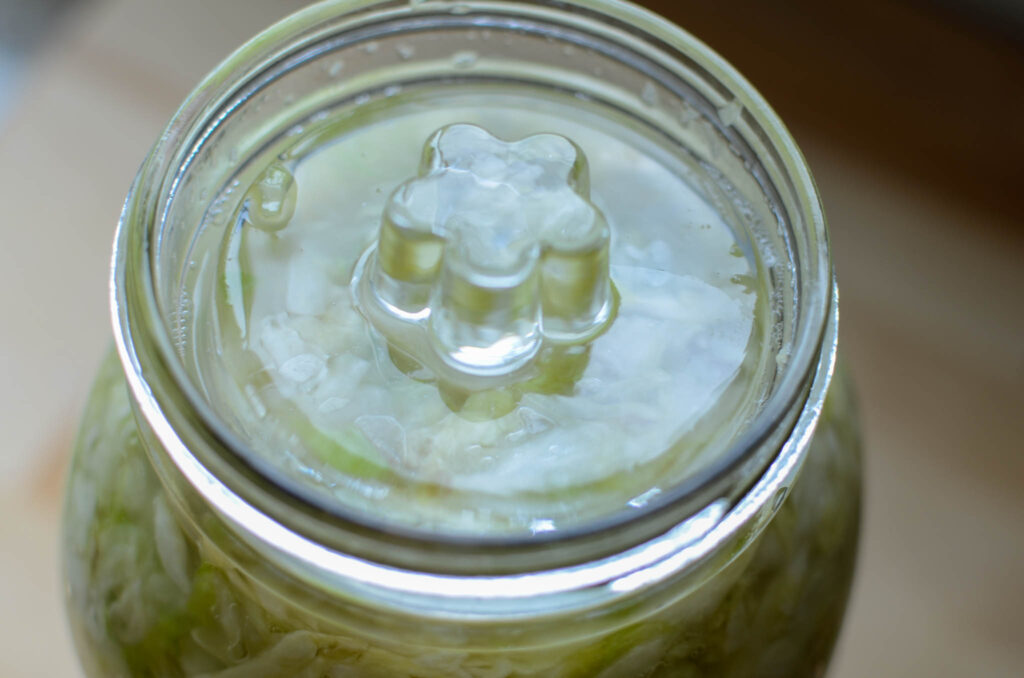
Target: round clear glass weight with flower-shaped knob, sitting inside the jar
454 410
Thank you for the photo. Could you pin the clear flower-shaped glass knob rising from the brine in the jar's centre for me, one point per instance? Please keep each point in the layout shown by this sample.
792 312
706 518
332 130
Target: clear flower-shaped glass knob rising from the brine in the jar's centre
493 250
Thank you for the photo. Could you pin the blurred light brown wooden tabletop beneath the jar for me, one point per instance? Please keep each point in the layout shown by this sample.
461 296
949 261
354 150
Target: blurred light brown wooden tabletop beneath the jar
933 325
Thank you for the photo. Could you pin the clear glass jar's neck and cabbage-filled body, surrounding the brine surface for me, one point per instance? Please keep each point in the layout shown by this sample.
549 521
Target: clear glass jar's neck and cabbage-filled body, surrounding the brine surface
186 555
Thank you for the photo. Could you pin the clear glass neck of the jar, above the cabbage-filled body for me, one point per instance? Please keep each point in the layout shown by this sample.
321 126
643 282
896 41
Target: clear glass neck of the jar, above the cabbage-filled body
280 78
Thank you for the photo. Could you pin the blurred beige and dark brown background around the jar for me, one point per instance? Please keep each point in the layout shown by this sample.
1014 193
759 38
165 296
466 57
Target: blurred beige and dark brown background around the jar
912 117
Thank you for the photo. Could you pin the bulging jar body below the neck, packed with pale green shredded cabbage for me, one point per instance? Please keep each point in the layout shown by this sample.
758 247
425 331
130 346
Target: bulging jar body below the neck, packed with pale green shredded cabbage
158 589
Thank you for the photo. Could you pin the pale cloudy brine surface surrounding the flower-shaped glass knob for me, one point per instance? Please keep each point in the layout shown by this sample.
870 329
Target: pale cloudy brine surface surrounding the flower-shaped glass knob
588 431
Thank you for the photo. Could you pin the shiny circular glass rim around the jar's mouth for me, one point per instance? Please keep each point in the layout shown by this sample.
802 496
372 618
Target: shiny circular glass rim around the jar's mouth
679 510
